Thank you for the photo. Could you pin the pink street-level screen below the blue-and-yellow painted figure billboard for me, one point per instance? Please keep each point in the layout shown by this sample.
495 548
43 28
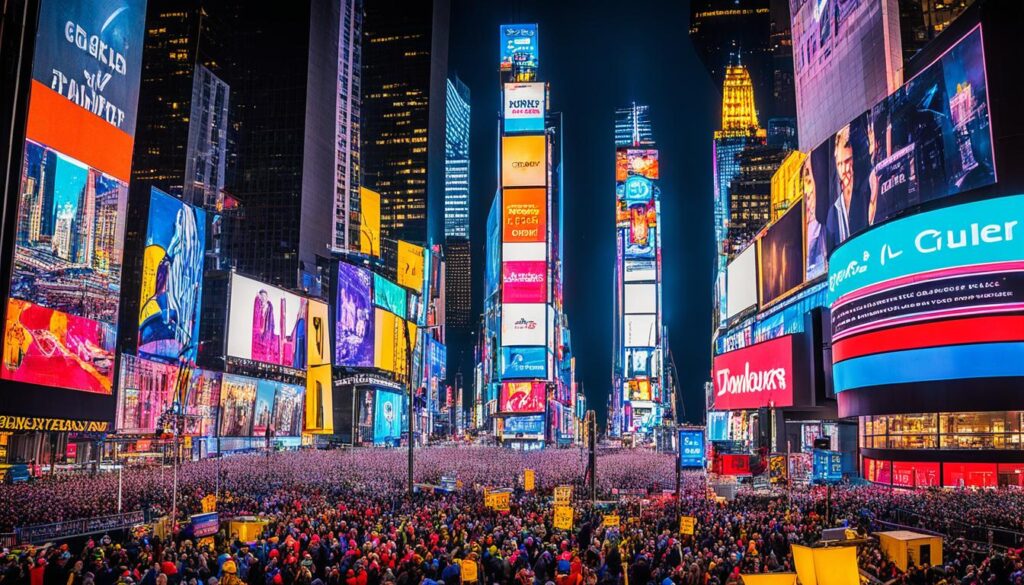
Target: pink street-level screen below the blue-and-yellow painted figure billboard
146 392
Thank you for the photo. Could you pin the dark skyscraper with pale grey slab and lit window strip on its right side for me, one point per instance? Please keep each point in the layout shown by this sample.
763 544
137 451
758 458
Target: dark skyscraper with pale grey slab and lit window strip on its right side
298 137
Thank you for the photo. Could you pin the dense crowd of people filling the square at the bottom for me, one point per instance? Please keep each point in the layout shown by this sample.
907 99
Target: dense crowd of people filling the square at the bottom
344 519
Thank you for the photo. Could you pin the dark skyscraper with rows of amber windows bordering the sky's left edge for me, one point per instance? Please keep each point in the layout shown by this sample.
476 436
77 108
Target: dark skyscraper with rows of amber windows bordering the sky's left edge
405 70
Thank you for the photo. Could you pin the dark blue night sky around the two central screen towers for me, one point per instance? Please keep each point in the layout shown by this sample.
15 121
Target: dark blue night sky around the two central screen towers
599 56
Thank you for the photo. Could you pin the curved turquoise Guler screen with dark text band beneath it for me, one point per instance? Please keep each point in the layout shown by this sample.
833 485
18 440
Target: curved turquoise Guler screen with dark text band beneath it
957 262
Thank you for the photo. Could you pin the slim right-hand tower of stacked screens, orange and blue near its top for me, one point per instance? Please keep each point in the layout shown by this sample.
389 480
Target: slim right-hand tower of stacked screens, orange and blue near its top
641 397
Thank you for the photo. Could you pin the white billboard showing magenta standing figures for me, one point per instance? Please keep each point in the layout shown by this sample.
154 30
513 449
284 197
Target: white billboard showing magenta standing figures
267 324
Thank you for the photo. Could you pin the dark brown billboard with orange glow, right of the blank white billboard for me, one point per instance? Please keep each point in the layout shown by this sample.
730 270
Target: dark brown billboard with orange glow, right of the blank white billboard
782 254
